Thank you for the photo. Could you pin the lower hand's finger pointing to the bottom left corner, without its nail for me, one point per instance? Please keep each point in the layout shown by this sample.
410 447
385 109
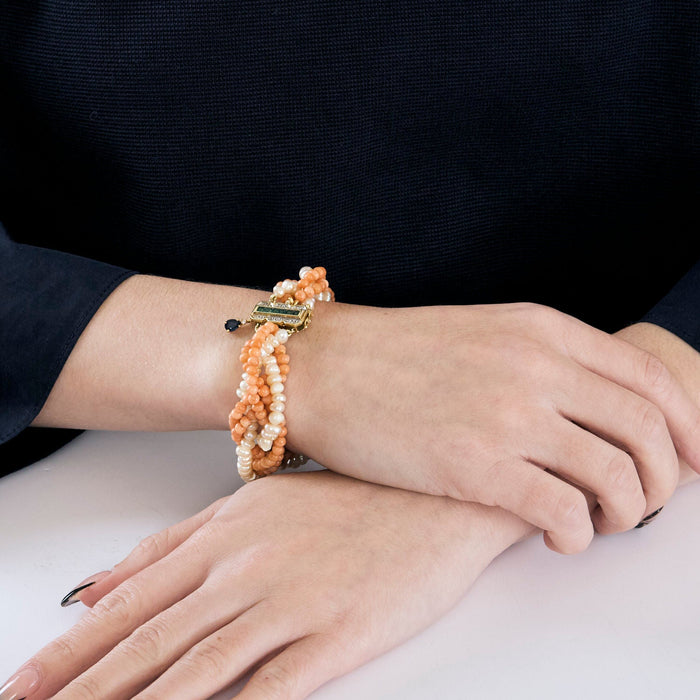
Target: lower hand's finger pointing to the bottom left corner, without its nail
115 617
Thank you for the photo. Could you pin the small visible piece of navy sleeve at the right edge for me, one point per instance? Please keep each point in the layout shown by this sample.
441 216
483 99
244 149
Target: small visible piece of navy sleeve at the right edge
679 310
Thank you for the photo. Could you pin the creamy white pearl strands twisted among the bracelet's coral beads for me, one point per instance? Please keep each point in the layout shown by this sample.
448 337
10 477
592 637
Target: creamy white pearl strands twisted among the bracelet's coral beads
272 428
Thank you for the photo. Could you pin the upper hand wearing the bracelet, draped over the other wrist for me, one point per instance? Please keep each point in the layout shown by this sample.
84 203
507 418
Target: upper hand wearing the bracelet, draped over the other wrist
514 405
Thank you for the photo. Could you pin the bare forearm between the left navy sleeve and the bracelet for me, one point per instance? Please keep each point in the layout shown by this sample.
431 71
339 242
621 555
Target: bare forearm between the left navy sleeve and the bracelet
154 357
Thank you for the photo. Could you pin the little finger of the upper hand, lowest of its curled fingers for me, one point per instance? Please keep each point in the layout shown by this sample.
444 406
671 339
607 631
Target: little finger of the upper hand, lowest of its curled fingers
541 499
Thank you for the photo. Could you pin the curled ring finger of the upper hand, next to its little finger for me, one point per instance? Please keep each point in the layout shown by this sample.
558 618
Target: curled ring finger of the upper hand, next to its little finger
606 471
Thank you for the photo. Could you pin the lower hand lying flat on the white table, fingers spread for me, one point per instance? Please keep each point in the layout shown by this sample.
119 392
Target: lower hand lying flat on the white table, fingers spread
309 574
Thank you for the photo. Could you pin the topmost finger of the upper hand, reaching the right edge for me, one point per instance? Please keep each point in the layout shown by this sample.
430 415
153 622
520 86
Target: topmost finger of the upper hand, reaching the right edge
644 374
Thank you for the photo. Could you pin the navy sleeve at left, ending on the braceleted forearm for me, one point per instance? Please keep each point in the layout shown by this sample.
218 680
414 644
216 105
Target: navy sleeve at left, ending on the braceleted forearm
47 298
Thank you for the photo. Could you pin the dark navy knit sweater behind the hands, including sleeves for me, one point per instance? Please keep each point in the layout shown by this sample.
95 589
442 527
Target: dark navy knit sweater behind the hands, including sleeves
424 152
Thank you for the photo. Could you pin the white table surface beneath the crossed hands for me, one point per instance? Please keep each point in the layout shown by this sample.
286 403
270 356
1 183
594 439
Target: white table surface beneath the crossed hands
621 620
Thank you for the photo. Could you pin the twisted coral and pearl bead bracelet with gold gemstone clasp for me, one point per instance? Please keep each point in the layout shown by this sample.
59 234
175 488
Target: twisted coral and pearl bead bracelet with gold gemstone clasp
257 421
